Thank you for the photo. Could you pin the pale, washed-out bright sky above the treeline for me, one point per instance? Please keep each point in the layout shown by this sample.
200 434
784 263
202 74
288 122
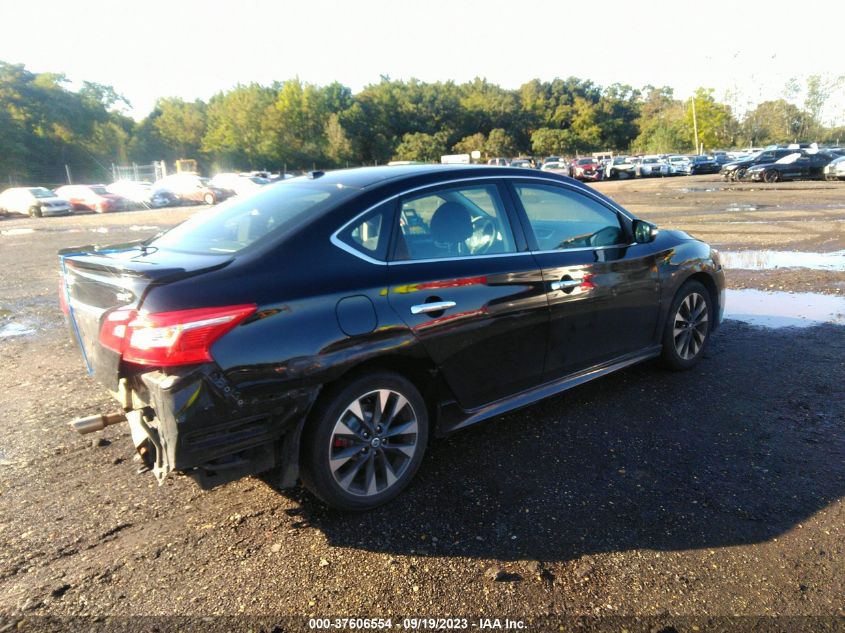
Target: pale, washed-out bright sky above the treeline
194 49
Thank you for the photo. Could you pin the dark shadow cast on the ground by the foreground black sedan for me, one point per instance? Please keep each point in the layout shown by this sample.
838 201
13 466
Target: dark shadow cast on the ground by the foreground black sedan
737 451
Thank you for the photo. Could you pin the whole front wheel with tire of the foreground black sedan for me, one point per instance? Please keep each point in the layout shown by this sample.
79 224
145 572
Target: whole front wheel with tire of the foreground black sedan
688 327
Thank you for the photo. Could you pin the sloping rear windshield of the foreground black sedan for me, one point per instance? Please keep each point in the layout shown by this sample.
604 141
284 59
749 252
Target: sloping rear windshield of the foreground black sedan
240 222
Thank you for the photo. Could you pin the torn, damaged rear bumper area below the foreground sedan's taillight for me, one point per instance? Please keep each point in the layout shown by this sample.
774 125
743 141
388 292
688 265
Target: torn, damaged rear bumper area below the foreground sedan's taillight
196 422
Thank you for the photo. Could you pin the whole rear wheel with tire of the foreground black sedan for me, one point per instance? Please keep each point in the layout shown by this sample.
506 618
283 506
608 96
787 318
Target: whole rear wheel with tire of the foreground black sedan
364 441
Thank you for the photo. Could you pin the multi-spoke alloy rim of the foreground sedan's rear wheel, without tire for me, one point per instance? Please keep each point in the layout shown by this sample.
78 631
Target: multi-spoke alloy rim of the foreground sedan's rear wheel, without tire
373 442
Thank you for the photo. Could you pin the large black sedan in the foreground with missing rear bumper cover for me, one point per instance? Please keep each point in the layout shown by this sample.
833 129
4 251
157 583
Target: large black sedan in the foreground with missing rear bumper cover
326 327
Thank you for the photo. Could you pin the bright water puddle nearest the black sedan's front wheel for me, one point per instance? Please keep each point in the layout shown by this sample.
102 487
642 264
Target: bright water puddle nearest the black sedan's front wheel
784 309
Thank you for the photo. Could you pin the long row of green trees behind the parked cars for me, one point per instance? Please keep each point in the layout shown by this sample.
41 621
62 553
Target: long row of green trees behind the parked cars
44 125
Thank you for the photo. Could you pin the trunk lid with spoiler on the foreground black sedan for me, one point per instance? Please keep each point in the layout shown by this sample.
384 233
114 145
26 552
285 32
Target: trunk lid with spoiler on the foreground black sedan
94 282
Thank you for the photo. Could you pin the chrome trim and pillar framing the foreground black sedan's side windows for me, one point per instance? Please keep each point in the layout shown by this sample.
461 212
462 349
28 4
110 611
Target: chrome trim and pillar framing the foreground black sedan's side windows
517 226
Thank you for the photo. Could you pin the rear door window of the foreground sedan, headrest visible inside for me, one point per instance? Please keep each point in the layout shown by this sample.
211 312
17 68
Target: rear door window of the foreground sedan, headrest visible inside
457 222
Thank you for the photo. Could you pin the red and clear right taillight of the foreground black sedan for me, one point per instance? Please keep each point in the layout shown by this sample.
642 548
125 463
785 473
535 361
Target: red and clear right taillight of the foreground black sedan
183 337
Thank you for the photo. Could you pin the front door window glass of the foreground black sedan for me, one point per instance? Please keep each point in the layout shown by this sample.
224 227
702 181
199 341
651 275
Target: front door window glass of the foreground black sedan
563 219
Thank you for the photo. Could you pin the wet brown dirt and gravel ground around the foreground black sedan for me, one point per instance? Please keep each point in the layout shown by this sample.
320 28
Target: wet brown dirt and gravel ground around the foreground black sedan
718 492
